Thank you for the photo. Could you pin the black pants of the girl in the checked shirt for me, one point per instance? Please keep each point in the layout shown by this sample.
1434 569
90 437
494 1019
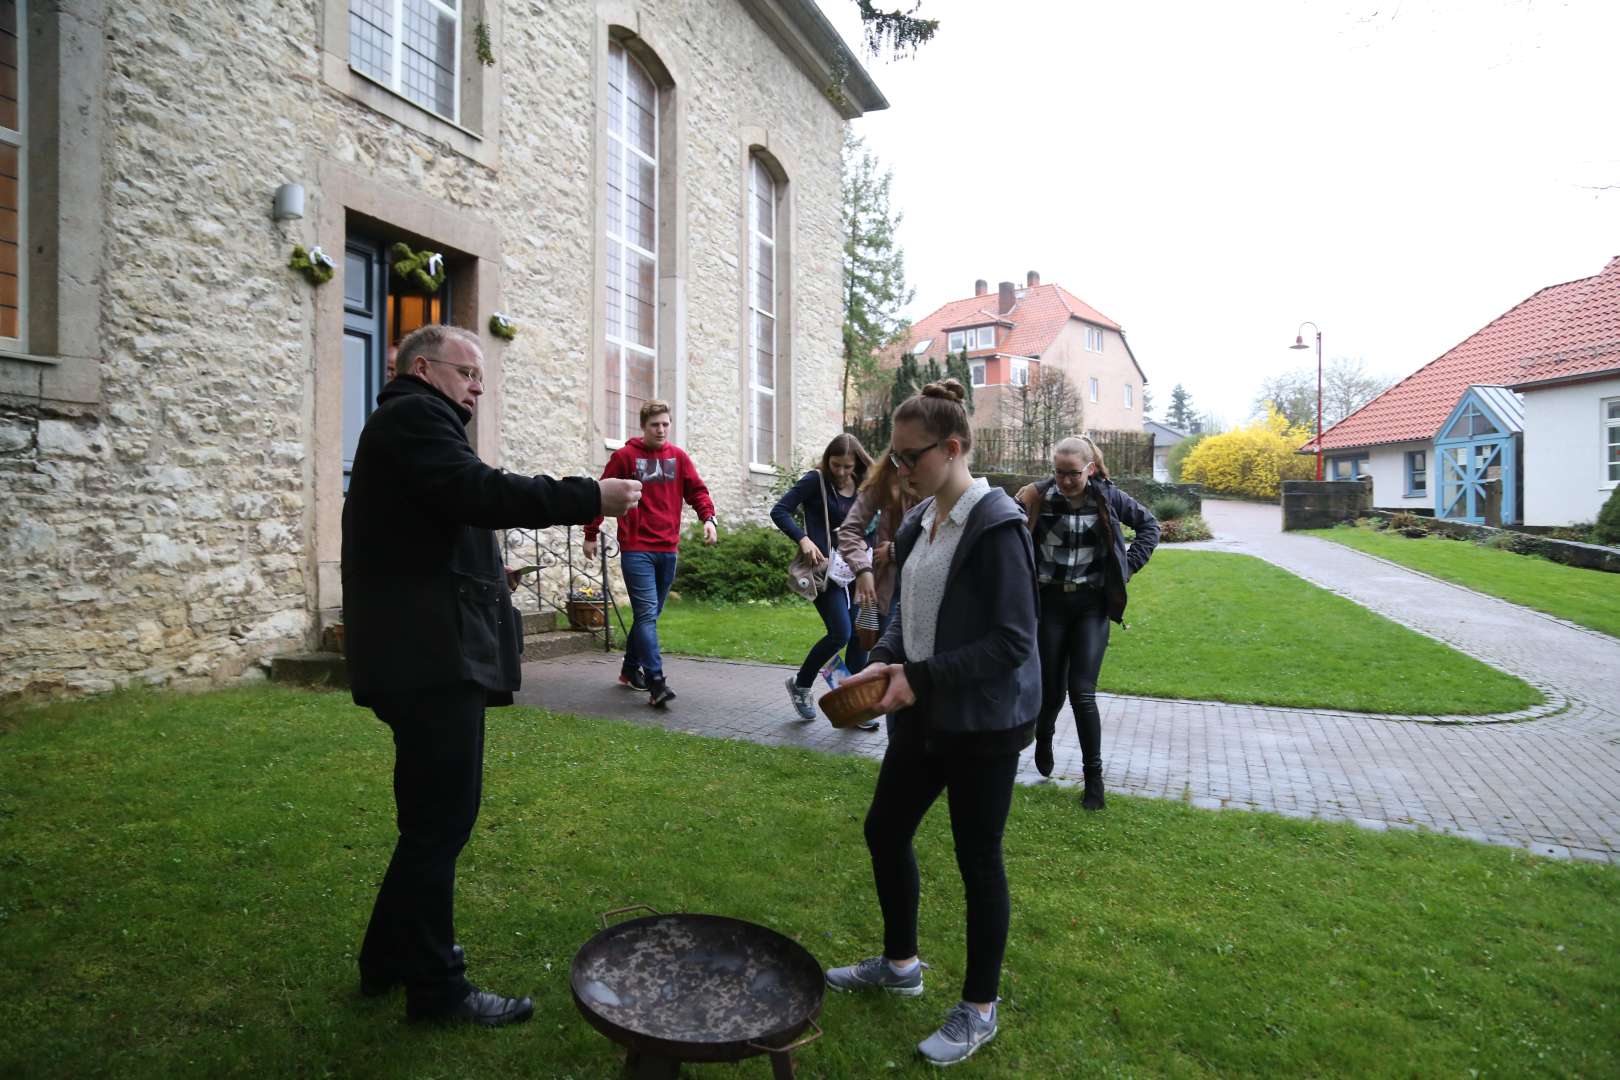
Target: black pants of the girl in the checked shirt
1073 639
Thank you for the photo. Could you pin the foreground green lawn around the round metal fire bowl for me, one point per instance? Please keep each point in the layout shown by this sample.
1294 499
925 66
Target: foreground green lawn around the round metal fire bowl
185 882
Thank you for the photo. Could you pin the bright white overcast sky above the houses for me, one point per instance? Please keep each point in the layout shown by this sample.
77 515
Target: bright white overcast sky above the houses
1209 176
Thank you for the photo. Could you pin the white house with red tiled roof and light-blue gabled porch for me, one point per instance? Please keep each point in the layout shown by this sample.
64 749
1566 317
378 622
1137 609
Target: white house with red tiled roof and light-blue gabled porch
1519 423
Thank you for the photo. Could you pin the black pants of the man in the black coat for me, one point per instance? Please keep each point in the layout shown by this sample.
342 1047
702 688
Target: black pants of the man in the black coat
438 783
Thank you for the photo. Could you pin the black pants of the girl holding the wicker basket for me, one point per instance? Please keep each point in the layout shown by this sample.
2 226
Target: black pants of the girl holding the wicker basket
979 794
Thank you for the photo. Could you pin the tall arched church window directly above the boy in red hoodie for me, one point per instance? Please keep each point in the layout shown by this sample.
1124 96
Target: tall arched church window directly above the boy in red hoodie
631 333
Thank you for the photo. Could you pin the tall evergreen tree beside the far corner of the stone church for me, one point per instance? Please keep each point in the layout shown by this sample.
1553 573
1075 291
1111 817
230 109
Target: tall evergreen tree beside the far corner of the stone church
874 270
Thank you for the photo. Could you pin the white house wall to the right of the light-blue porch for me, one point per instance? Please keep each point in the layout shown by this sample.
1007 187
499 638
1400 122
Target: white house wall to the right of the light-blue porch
1566 477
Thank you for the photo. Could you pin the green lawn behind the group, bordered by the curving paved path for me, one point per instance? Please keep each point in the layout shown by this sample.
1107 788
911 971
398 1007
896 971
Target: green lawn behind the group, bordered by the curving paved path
1208 626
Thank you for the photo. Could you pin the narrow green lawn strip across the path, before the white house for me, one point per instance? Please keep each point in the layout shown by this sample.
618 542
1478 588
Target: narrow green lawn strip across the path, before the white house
1590 598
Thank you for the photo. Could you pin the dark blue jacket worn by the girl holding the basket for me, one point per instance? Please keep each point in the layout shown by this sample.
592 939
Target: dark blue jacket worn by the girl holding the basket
984 678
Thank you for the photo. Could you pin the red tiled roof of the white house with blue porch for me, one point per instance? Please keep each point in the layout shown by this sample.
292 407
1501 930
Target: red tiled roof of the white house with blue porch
1512 351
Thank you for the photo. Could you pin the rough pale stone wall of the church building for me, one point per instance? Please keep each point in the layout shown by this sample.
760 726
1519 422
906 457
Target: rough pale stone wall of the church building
164 535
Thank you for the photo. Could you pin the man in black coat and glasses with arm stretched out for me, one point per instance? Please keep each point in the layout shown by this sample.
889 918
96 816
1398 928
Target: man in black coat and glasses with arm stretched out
432 640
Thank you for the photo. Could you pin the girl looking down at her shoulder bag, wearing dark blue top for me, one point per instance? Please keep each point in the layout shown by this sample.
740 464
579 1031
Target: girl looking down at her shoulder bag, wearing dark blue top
824 496
